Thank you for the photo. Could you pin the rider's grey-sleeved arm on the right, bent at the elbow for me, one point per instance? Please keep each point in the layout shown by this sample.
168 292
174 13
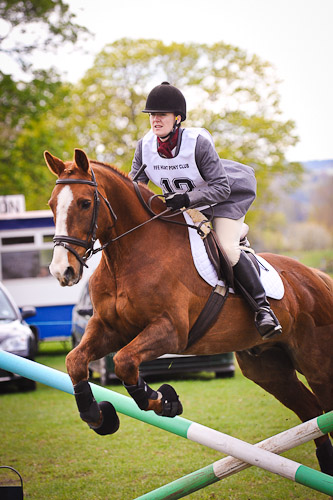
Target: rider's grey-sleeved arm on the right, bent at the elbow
211 169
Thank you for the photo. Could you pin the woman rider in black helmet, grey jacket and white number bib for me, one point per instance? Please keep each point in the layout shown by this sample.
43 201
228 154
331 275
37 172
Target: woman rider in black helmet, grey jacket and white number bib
184 162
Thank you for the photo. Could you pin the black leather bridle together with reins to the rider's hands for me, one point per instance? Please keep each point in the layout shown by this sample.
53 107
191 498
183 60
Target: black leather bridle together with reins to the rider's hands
66 241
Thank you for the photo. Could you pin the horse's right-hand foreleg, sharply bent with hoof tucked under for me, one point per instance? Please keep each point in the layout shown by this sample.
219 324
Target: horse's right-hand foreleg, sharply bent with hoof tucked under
156 339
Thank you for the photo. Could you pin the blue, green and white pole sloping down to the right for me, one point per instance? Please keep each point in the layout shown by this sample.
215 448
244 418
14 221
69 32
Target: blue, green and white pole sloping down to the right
193 431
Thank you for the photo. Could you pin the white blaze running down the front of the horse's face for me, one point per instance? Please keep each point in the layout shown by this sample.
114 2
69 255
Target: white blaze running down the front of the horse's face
60 262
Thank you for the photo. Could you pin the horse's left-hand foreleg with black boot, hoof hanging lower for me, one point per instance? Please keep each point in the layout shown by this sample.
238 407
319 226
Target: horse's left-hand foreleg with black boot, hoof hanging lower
101 417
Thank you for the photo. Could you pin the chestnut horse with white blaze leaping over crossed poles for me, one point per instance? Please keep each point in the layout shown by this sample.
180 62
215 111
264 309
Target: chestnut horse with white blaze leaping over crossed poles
147 294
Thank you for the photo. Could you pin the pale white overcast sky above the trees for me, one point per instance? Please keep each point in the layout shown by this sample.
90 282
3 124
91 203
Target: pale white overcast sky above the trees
295 36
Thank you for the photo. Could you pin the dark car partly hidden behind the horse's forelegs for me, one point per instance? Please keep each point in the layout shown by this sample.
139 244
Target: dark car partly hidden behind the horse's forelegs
169 364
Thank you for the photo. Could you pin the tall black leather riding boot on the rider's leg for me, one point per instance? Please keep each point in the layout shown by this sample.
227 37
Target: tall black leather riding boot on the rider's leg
265 320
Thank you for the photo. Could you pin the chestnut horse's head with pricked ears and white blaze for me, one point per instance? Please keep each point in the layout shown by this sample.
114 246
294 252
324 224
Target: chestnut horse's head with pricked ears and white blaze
74 203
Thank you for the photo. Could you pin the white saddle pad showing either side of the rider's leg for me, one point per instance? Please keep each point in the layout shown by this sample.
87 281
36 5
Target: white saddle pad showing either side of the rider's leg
270 279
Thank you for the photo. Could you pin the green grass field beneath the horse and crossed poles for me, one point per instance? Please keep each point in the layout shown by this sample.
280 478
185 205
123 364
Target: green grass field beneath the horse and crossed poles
60 458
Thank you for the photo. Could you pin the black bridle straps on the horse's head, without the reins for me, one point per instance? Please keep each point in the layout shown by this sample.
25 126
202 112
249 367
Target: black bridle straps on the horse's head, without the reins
89 242
